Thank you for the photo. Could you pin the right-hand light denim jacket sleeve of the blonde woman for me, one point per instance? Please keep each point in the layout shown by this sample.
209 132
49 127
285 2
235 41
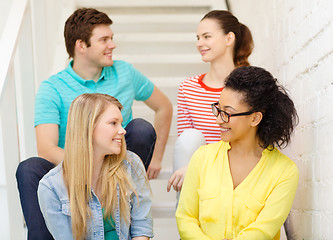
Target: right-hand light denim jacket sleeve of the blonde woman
141 216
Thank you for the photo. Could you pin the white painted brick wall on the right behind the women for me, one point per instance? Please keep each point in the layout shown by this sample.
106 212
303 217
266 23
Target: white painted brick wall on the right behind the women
294 41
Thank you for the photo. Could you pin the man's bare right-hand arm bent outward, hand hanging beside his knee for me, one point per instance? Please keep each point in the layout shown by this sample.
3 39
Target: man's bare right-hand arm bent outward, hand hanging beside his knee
163 114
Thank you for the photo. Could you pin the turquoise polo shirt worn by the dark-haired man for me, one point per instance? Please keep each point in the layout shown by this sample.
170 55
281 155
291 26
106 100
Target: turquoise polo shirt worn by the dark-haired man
55 95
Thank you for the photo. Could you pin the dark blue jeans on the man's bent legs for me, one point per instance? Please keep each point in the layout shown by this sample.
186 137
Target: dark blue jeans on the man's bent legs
140 139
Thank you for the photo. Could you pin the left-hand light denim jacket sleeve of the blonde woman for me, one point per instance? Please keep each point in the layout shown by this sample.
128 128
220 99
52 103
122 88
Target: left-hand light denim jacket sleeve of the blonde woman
57 222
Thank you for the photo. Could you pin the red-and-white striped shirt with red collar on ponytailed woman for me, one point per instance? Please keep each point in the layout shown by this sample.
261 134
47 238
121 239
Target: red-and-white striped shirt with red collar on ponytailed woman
194 108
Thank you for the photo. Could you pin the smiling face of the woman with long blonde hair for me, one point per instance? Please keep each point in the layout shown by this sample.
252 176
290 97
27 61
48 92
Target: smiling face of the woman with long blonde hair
108 133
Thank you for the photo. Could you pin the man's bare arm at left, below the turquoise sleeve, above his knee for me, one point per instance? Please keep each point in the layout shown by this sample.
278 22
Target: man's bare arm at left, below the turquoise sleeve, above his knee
47 143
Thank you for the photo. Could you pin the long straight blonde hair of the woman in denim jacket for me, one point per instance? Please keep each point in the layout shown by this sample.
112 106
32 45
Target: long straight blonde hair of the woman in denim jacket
83 115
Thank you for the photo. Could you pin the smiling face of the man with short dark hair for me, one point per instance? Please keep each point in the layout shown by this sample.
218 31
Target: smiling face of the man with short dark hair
99 53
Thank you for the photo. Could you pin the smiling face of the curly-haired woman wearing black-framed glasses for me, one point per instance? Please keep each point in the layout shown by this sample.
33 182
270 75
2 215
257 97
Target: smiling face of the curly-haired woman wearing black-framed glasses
238 128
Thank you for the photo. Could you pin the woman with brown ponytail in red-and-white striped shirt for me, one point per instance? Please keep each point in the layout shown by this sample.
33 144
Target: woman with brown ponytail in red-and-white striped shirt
225 44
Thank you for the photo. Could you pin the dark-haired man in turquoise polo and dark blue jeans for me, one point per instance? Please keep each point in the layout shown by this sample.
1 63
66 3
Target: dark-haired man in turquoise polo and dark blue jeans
89 41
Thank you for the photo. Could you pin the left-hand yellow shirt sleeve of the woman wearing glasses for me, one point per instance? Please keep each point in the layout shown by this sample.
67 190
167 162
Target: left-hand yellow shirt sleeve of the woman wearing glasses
187 214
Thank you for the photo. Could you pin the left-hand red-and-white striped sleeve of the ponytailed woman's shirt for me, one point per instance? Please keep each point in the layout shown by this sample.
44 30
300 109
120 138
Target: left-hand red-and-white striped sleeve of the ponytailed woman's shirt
184 120
